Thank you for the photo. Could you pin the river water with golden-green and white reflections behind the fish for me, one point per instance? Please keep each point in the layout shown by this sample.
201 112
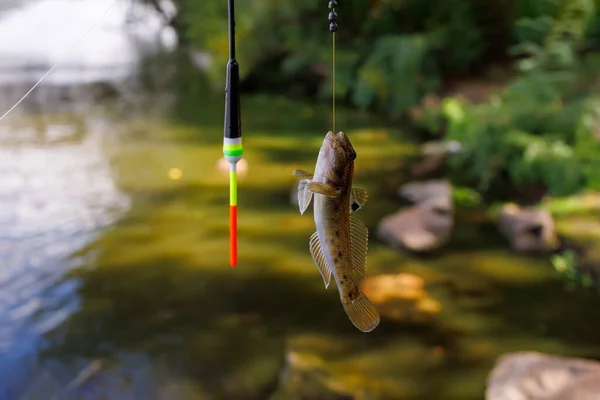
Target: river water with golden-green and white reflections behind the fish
114 239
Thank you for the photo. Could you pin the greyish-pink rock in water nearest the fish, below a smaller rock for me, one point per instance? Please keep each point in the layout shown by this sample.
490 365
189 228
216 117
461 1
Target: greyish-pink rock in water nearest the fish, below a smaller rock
423 227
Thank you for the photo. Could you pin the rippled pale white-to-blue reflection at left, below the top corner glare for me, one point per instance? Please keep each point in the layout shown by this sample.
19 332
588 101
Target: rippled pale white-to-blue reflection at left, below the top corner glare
54 198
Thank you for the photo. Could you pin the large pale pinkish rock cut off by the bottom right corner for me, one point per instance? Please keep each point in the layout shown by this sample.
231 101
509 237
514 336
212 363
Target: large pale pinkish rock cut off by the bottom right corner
536 376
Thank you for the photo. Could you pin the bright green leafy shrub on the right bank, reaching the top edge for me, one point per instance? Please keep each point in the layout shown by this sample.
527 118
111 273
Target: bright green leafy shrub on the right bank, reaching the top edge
544 128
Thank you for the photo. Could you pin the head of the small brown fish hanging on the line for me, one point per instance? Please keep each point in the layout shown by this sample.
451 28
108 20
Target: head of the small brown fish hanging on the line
339 155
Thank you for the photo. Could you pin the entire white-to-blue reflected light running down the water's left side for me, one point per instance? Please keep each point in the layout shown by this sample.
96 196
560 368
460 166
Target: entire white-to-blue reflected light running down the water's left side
57 190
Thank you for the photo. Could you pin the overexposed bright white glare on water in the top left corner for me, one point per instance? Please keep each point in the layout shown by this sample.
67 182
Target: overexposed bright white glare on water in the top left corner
48 29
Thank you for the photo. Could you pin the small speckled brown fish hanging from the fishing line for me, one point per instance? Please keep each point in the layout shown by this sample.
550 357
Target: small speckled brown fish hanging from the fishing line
339 246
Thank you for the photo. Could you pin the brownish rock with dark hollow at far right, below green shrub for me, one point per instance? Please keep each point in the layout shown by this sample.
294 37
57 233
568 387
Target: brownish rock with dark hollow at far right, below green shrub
528 230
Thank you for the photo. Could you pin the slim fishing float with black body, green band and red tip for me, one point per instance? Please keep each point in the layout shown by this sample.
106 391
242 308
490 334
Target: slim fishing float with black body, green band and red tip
232 140
